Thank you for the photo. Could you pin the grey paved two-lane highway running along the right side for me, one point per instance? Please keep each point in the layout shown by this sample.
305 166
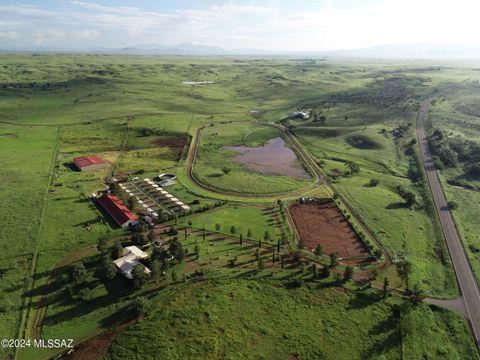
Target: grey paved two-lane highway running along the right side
466 280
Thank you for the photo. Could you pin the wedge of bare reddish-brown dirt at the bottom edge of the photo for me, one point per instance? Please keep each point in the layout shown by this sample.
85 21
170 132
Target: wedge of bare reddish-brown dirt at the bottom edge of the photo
96 347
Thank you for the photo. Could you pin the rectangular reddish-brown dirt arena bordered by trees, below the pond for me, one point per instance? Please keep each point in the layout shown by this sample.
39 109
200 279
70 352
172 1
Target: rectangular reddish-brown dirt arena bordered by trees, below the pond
324 224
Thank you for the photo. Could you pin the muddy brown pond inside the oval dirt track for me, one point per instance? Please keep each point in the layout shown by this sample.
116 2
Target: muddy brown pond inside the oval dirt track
272 158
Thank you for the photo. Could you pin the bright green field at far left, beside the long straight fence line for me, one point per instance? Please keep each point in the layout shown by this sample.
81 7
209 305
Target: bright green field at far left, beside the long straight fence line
26 154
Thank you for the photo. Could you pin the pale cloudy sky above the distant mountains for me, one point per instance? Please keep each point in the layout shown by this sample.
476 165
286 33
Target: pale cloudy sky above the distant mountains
281 25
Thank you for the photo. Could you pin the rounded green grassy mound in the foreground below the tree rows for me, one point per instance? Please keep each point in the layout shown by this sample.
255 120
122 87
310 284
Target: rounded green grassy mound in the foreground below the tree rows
251 320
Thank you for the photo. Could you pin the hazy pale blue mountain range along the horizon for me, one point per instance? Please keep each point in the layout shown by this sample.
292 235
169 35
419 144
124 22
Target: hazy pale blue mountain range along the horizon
423 51
